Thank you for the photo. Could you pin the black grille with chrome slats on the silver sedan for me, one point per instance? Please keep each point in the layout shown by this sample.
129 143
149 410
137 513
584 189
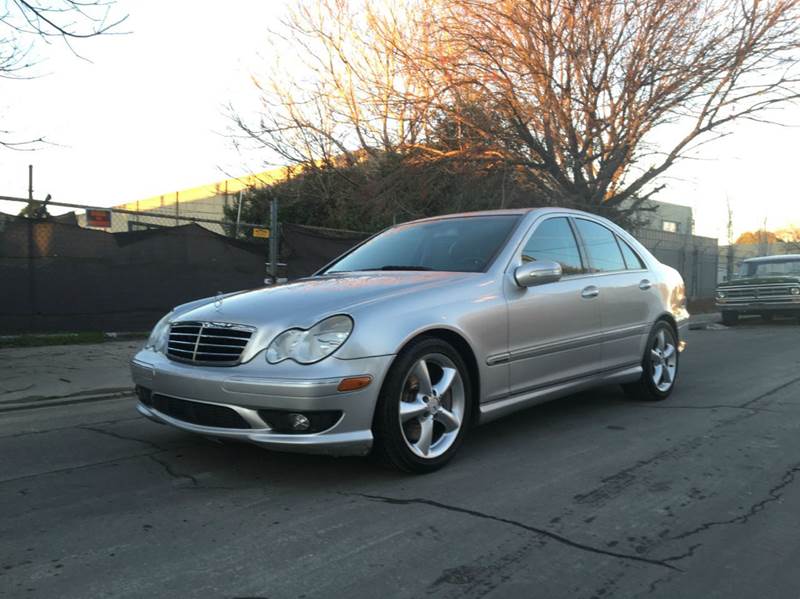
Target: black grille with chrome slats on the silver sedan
214 343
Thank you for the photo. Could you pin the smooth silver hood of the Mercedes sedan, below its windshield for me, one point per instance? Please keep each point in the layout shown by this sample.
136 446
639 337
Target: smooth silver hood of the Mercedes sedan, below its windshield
305 302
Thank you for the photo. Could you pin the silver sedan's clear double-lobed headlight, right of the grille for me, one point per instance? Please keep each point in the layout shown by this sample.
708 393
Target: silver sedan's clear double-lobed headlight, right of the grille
312 345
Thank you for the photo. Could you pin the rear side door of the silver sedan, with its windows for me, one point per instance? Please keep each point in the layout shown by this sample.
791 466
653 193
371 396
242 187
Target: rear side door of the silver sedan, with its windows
626 292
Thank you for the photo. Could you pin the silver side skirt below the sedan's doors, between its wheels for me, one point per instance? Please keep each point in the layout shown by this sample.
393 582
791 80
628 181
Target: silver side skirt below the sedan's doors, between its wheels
501 407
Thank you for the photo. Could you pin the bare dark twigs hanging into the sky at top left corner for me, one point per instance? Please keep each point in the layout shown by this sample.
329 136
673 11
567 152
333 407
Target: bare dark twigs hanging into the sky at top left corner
25 23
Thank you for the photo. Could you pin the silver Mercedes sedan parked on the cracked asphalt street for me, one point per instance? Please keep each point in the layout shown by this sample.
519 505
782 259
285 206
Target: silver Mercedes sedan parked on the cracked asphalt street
404 343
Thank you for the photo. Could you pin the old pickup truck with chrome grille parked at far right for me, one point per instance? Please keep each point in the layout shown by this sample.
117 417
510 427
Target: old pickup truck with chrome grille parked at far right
767 286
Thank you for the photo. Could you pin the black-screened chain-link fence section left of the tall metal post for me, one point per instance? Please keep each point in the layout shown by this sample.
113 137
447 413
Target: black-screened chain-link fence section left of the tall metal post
117 270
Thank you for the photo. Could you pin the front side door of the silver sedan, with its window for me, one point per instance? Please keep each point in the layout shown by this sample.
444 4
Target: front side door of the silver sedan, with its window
555 328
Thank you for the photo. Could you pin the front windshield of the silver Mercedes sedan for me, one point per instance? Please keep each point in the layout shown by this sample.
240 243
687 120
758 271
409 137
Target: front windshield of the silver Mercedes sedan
465 244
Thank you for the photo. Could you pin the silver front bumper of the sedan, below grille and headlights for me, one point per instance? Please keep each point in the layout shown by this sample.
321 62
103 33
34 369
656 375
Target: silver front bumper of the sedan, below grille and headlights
255 386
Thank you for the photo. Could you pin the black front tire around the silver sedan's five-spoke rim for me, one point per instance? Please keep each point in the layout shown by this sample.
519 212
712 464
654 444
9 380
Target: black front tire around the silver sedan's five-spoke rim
390 446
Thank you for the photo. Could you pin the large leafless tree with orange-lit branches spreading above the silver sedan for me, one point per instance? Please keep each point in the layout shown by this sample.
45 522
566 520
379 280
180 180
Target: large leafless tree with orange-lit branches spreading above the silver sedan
589 100
